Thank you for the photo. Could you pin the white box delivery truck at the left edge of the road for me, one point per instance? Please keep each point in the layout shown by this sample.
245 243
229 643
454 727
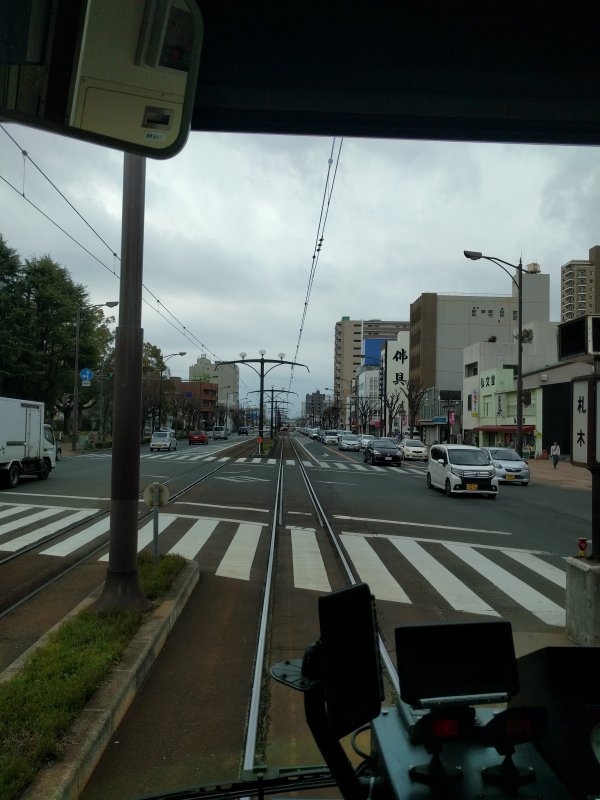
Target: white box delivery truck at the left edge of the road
27 444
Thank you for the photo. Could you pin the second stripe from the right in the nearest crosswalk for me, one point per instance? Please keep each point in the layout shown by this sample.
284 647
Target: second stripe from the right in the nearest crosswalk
519 591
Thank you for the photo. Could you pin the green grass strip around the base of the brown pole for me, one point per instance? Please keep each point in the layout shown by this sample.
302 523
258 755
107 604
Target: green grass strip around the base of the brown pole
39 704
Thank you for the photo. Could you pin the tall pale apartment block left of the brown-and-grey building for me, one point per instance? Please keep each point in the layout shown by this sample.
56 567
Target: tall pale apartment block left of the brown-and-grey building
350 349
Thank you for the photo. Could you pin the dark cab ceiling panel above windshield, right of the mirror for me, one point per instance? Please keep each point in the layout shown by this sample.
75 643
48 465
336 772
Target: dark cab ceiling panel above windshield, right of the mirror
483 70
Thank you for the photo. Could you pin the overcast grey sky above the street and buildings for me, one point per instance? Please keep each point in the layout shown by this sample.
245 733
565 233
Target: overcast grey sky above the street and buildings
231 225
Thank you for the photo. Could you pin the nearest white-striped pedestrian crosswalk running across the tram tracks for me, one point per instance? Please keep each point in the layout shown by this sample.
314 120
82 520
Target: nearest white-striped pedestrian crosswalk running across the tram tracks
472 578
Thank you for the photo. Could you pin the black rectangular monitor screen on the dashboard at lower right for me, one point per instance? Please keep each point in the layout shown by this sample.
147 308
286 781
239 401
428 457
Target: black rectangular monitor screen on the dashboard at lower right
466 663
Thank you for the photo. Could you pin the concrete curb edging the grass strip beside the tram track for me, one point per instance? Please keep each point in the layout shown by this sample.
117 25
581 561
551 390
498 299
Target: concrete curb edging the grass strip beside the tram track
92 730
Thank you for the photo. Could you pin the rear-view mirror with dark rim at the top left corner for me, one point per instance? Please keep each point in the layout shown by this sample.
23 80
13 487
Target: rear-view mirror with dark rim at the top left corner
119 73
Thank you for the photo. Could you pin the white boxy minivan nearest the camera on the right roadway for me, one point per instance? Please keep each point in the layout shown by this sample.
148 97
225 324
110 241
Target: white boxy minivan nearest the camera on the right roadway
461 469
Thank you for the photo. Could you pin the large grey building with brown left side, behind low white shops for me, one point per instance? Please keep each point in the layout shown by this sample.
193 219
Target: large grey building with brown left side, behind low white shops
442 325
